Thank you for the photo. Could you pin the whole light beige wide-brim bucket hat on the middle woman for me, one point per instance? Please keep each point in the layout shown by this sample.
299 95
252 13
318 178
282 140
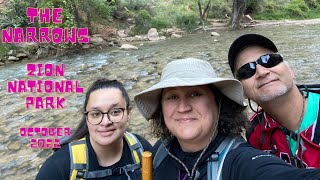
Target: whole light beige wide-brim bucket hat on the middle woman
187 72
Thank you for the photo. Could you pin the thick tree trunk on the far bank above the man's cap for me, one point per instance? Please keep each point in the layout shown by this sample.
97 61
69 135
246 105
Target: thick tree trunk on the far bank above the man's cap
238 9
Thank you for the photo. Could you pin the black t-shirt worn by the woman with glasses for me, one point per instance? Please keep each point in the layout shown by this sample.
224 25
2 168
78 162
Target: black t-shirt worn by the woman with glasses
57 167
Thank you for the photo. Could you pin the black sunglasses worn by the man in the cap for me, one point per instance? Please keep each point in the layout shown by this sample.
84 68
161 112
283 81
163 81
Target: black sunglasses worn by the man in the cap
268 61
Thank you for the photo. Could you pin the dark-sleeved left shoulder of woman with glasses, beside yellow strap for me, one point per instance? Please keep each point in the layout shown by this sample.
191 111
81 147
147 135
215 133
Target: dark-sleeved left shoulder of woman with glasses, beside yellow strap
57 166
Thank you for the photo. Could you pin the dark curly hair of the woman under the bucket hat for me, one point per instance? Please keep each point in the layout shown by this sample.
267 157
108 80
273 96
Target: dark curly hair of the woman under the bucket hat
232 122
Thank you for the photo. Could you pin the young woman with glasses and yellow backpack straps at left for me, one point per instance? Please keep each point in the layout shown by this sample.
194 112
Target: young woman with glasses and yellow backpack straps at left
100 147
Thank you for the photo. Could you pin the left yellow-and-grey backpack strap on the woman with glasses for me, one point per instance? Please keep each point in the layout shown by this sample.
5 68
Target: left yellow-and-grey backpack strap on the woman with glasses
78 158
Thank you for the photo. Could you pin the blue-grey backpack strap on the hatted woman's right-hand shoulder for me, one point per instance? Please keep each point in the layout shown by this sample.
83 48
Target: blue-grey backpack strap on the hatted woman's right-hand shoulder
215 162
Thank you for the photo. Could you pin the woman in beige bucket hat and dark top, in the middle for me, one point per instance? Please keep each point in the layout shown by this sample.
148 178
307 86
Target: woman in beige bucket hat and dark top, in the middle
200 118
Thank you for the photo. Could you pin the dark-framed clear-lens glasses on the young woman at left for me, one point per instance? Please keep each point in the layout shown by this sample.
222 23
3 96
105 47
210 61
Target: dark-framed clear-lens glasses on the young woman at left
95 117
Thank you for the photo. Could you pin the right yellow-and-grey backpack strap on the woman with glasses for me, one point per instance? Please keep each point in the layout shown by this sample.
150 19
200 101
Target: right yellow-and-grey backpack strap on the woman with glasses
135 146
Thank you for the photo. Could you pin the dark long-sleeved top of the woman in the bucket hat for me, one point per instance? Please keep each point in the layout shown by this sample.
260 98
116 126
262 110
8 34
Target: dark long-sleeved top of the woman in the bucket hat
243 162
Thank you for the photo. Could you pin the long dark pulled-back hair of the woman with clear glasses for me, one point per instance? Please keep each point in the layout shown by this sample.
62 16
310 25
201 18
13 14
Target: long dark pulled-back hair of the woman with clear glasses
82 129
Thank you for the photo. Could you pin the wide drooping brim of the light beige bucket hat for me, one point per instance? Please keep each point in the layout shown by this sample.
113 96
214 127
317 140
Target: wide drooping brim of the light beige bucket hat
148 100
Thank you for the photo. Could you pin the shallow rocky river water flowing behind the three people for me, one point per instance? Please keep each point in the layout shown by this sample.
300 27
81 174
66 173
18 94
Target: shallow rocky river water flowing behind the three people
138 69
